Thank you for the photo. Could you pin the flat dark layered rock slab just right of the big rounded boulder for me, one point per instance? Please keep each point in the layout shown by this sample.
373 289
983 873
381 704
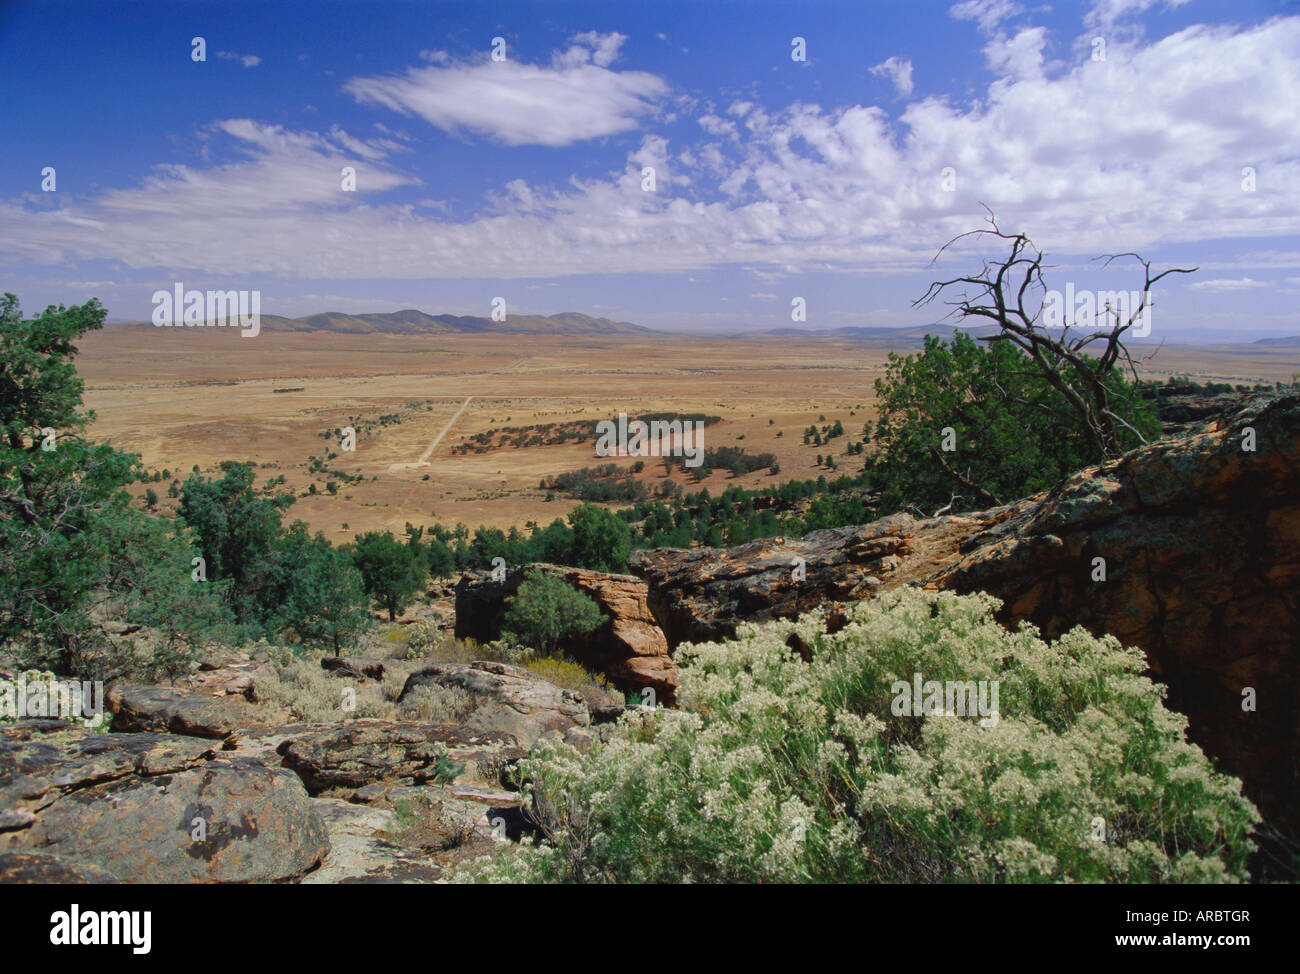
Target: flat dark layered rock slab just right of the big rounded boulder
358 754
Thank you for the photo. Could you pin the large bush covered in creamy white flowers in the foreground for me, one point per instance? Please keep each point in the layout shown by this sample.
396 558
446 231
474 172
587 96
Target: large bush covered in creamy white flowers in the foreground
782 770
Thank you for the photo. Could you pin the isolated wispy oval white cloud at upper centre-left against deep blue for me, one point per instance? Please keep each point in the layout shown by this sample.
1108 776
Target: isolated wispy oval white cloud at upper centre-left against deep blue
574 99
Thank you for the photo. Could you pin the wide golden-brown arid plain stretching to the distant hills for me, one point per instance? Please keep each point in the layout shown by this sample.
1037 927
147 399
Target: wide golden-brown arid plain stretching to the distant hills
197 397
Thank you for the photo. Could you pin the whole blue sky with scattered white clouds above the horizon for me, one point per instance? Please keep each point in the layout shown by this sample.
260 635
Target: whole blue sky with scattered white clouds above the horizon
801 153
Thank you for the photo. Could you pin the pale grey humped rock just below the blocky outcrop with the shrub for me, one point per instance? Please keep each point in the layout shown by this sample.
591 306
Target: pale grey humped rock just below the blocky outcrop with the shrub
508 699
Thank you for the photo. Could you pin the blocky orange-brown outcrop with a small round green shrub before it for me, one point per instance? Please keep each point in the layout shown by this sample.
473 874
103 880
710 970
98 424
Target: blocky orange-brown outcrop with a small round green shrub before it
629 648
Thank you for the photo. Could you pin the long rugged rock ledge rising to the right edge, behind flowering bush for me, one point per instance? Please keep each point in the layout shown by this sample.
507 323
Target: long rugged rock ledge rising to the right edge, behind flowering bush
1199 540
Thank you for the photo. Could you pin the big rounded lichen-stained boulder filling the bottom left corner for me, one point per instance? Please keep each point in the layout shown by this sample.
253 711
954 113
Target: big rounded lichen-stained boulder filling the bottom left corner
128 806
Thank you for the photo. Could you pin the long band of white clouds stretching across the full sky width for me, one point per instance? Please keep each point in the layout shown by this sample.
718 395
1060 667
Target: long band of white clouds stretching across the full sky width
1133 154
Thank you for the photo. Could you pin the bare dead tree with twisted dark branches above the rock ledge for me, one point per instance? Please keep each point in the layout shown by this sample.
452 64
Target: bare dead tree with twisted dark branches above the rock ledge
1011 293
